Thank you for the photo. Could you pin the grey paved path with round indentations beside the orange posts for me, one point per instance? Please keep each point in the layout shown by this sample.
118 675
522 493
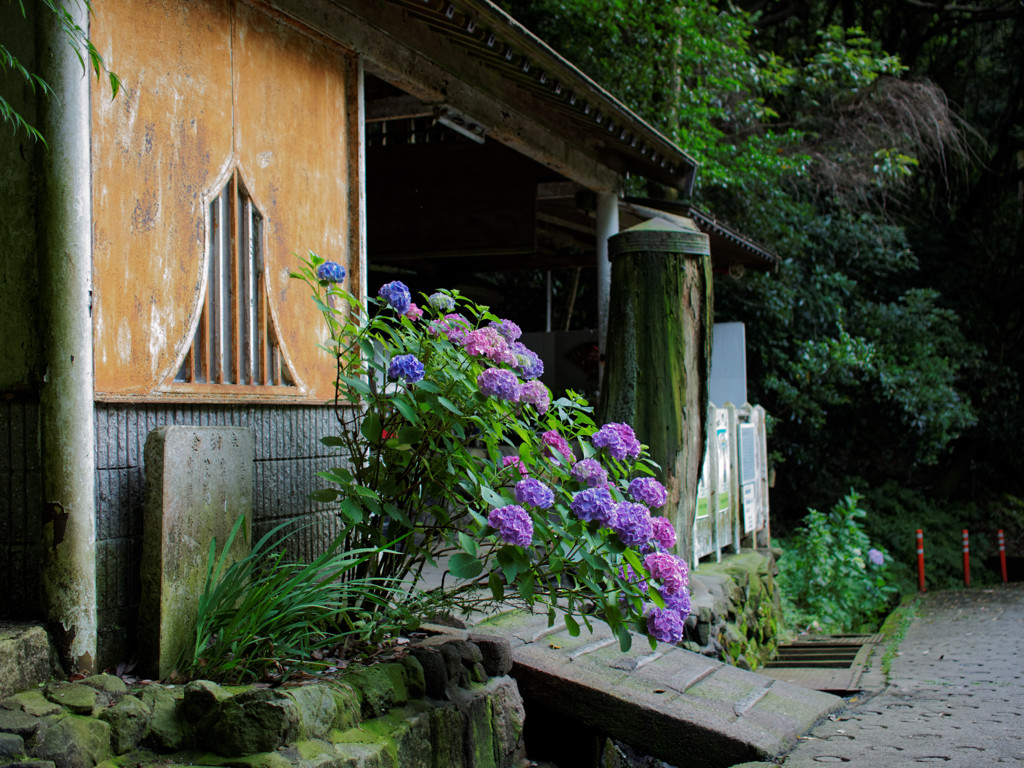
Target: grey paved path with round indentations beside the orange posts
955 695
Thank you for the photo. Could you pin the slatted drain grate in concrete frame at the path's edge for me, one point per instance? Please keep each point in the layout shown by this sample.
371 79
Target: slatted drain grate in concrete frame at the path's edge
832 663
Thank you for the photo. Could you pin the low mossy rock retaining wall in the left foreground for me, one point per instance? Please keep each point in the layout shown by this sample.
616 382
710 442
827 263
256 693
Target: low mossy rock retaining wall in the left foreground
446 704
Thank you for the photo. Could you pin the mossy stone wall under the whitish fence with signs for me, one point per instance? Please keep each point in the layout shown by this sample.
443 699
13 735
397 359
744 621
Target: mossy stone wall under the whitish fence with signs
737 610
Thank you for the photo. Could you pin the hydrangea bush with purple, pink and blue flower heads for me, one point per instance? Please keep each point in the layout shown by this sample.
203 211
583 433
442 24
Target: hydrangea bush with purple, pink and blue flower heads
445 431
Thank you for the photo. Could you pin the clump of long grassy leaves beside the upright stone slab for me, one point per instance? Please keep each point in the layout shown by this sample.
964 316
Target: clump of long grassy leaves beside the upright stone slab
264 613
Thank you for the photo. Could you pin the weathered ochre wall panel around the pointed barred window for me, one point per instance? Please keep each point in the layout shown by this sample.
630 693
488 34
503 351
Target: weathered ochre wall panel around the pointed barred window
211 87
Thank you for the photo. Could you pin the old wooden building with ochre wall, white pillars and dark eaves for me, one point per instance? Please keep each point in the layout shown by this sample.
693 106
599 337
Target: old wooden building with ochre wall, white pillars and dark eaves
147 248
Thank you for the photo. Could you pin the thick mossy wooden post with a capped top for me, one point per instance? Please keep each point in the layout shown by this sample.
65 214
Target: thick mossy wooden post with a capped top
658 365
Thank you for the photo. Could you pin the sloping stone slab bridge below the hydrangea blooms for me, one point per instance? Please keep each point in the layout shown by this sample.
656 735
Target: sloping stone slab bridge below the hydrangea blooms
671 704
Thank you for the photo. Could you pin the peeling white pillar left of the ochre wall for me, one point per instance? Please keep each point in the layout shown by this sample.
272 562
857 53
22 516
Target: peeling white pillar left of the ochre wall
69 563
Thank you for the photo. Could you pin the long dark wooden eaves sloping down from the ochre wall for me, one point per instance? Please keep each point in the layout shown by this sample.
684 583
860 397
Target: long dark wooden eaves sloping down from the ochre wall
471 58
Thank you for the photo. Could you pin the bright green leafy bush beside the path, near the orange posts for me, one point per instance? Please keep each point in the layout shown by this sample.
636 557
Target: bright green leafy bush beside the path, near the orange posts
830 575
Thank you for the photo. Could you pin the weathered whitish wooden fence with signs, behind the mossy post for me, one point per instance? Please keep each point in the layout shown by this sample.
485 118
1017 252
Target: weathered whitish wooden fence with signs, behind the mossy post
733 495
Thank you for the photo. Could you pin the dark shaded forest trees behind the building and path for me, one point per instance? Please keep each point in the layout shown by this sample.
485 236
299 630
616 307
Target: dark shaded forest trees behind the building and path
878 149
